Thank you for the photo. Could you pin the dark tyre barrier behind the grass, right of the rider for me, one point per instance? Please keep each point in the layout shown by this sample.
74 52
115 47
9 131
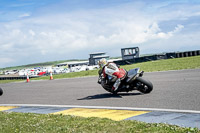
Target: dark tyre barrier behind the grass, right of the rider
159 57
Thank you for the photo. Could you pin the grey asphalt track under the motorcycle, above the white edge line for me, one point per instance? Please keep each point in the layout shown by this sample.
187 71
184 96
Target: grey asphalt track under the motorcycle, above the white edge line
172 90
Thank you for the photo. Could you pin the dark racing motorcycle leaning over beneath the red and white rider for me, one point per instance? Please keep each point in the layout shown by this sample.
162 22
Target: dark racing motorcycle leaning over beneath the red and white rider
133 80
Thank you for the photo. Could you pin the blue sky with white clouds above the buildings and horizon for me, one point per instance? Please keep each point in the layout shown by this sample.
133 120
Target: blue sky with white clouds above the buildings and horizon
33 31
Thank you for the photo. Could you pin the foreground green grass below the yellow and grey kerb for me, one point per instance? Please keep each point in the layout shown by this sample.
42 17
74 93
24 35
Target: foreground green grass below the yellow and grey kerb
29 123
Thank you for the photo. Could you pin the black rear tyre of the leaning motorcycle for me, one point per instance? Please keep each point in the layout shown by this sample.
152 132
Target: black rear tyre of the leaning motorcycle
144 86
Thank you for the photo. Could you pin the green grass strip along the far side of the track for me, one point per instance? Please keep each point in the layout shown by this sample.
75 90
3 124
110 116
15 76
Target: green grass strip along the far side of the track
159 65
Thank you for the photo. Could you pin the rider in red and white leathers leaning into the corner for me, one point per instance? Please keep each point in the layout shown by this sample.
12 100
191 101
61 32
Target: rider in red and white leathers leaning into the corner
112 71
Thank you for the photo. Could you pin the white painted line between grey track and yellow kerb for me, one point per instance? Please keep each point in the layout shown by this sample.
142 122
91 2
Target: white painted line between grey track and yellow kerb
106 107
